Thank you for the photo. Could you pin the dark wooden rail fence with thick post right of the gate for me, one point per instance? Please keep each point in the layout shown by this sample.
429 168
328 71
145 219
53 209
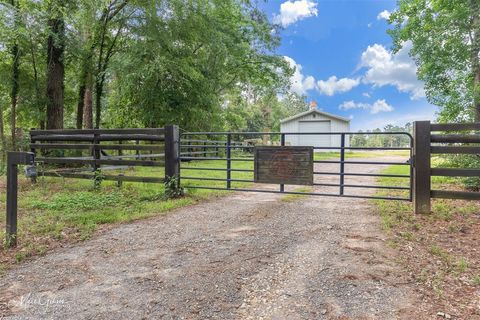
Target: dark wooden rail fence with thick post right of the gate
427 144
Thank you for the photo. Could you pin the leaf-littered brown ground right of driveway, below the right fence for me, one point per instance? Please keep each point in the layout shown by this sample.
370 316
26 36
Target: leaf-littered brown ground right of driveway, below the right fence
441 252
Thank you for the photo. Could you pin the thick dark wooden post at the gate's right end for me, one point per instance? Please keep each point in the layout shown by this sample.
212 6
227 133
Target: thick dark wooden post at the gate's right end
422 169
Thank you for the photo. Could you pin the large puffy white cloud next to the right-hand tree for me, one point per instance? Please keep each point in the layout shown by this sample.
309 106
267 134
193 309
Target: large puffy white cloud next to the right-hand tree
386 68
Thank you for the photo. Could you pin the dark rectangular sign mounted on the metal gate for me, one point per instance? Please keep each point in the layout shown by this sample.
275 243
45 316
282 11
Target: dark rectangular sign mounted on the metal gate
284 165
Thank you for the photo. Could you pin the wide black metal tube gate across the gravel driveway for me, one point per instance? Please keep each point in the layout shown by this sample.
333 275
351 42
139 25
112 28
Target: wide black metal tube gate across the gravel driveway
264 162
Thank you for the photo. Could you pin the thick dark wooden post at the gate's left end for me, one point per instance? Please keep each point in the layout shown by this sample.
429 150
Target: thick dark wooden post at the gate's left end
172 152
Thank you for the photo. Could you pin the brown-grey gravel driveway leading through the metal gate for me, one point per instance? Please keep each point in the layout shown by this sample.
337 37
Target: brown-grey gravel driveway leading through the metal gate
243 256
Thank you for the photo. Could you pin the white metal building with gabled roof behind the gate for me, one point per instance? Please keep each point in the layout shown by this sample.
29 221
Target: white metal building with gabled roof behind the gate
315 121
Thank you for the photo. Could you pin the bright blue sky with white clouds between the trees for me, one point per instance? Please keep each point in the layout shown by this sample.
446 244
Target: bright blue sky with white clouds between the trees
343 59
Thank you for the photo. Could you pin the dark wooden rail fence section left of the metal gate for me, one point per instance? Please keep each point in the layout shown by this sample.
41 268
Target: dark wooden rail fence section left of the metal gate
132 147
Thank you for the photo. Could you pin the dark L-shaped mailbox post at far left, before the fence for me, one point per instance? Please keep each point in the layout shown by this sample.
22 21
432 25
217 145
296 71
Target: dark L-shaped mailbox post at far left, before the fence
13 160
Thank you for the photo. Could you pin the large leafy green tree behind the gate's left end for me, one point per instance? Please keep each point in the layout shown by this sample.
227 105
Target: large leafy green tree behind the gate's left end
182 57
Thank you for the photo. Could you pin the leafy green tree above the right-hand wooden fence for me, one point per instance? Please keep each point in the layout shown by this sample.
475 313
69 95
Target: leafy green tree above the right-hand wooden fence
446 46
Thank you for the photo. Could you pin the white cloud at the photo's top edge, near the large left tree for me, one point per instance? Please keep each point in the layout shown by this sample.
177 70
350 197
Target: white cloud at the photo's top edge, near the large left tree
293 11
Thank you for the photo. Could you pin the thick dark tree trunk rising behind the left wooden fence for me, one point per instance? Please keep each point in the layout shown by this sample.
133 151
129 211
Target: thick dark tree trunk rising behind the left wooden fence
55 72
